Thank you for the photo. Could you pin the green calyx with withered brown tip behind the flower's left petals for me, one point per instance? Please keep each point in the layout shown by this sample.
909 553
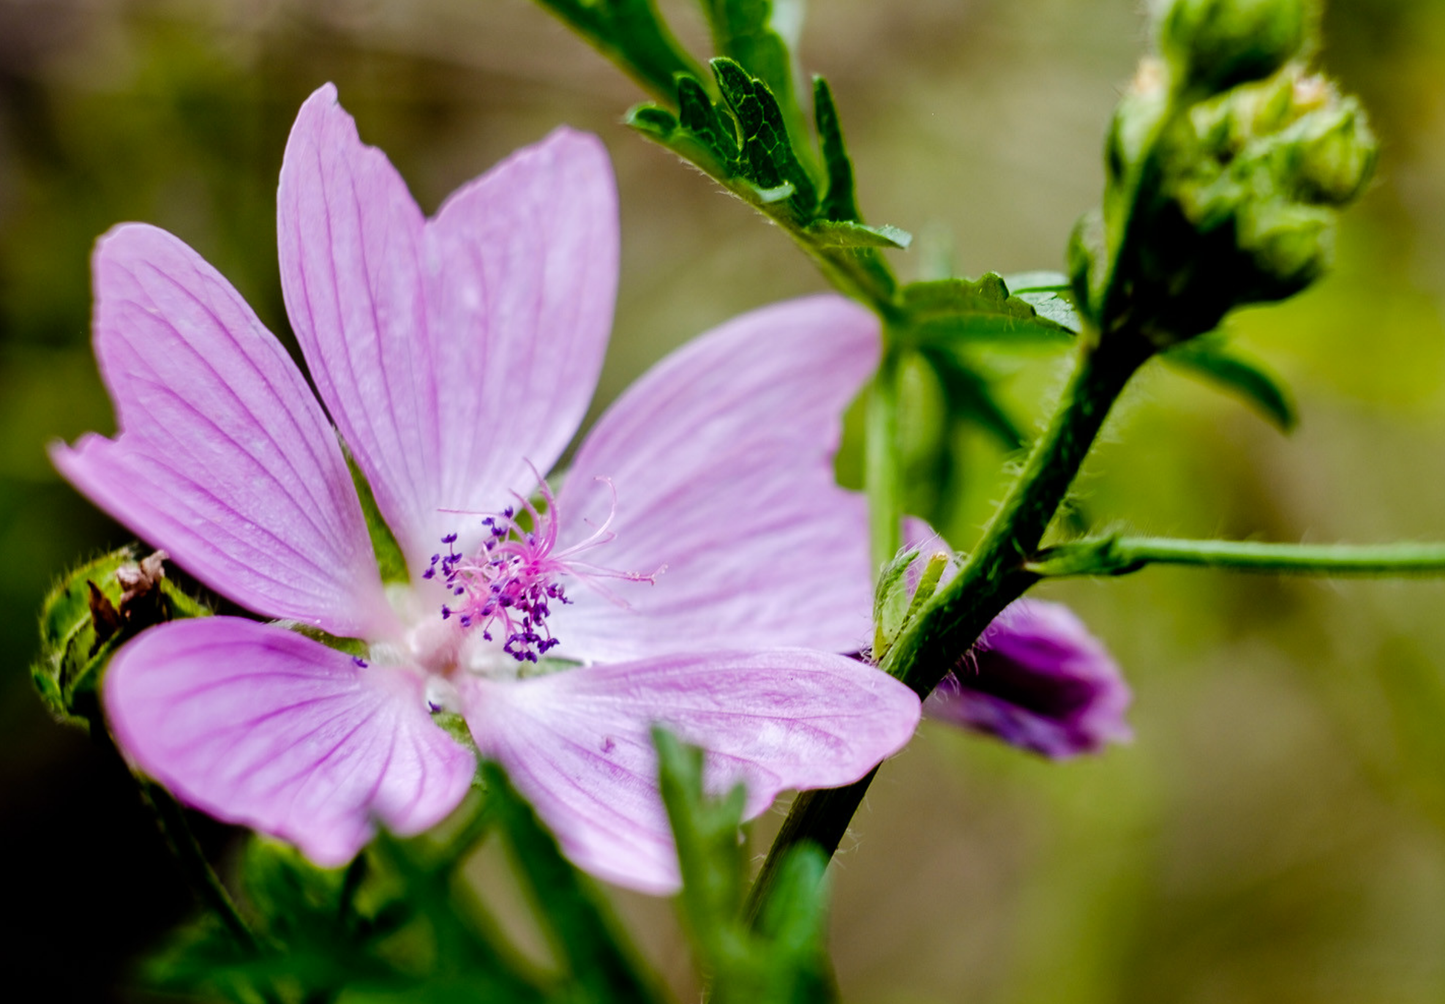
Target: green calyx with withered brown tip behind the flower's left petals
86 619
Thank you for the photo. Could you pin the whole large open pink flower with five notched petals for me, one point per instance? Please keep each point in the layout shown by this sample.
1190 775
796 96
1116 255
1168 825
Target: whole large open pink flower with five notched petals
697 567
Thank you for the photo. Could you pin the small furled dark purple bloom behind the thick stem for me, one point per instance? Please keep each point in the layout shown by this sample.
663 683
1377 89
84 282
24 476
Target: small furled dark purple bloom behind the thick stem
1038 681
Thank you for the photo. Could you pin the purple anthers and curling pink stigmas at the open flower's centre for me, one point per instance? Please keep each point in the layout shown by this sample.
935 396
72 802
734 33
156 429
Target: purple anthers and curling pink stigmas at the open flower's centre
506 589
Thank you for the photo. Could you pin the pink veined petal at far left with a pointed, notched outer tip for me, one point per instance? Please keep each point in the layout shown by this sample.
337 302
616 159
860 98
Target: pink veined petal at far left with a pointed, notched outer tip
225 457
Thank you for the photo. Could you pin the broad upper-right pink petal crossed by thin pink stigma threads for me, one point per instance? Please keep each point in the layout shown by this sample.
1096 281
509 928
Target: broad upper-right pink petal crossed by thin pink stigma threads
722 462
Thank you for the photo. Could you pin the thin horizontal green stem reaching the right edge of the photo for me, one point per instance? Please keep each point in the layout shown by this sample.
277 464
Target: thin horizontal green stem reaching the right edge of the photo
1123 555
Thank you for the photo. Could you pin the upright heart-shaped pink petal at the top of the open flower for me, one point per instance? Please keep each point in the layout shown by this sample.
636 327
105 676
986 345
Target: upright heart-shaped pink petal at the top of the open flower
454 352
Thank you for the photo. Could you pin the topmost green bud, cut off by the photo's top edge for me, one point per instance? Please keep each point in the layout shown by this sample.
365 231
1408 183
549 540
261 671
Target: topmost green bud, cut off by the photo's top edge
1213 46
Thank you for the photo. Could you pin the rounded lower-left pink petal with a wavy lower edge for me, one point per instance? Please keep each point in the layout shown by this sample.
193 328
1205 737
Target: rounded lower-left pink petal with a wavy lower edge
264 727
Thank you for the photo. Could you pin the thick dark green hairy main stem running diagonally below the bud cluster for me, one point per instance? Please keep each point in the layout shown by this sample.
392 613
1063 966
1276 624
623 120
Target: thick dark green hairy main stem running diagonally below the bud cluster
993 577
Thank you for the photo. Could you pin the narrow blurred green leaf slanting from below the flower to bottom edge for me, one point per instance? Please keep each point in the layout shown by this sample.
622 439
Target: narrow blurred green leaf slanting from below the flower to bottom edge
580 928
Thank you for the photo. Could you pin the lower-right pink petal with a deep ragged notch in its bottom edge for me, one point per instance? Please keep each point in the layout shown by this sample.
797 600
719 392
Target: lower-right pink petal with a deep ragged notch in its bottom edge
579 746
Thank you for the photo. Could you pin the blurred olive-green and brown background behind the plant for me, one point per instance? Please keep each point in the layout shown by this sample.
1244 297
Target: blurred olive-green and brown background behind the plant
1277 831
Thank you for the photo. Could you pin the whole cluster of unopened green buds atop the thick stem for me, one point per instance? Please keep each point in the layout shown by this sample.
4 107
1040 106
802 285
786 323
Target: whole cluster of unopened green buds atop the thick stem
1228 164
